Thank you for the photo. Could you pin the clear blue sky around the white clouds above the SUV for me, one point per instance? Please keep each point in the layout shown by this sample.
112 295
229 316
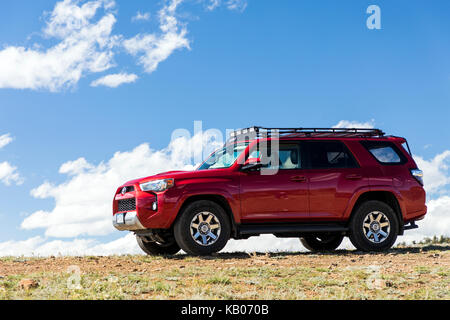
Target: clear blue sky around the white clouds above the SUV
283 63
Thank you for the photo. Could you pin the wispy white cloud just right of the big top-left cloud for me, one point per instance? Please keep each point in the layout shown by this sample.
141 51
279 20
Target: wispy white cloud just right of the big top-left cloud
154 48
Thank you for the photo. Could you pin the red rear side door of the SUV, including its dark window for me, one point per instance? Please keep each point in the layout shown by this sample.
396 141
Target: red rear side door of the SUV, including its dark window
334 176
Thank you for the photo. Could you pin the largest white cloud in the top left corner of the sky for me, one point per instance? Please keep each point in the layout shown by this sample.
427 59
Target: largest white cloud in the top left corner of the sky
85 47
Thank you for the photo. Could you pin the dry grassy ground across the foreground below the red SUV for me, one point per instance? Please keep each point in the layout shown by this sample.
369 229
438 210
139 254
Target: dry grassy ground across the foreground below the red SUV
419 272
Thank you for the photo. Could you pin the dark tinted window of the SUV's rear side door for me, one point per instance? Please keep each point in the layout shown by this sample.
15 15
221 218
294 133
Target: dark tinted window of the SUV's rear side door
324 155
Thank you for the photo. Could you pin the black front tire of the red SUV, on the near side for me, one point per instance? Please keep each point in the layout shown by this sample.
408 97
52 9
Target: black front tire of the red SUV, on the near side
184 233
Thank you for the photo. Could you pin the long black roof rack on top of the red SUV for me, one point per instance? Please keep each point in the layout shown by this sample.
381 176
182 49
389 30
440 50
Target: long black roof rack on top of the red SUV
263 132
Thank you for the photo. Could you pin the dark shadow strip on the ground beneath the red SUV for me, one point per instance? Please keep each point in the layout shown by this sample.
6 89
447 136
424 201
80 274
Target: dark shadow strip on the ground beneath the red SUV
341 252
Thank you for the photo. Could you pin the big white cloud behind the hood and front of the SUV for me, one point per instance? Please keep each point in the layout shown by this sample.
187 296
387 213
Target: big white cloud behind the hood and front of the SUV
83 202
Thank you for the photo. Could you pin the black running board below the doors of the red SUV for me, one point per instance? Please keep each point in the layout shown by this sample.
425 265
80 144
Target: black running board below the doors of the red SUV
246 229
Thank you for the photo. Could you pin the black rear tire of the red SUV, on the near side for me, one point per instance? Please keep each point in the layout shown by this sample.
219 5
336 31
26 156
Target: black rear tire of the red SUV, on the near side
359 225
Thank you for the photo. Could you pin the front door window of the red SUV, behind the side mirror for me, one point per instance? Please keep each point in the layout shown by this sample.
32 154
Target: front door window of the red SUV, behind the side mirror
287 157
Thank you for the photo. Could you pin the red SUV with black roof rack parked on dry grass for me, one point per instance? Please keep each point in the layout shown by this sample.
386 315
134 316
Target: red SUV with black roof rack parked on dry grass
316 184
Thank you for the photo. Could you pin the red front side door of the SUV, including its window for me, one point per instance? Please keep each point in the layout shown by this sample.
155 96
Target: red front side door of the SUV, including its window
282 196
